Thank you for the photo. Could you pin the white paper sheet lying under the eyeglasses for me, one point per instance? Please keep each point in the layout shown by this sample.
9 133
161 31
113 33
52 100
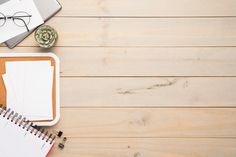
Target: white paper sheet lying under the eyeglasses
10 30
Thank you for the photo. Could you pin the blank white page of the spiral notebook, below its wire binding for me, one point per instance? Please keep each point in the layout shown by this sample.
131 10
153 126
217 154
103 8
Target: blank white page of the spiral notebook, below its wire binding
16 141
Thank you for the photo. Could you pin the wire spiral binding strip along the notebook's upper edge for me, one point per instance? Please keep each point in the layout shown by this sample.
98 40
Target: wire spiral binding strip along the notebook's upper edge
21 121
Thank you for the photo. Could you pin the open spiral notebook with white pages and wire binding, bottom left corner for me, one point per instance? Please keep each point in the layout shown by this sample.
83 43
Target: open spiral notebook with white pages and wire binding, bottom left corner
20 139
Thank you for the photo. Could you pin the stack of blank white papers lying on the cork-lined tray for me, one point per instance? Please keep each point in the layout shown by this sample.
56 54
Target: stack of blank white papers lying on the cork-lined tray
29 88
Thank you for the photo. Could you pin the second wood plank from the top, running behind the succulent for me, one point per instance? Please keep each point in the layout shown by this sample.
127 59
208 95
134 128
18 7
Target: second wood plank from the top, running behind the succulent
143 32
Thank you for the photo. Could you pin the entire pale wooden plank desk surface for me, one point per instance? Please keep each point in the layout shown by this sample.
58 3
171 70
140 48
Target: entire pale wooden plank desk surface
146 78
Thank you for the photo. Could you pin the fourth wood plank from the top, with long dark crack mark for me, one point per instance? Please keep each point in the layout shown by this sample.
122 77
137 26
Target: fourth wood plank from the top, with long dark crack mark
144 92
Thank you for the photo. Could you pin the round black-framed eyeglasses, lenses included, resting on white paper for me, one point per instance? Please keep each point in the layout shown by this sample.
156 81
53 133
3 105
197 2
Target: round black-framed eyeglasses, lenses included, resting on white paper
20 19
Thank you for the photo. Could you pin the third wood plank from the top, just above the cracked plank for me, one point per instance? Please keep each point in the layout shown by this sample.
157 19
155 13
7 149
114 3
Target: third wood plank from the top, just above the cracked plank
96 61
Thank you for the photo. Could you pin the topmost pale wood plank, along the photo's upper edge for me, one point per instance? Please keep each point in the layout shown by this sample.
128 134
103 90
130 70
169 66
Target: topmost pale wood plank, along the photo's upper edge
150 8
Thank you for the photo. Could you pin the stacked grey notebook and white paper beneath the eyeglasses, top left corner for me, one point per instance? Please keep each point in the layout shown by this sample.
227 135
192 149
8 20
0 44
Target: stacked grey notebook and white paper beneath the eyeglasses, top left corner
10 32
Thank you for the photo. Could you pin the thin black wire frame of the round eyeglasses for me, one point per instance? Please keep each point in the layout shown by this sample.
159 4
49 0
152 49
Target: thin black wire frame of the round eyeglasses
13 17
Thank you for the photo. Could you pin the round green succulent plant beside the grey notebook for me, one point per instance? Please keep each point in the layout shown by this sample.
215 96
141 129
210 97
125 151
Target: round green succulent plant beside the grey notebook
46 36
